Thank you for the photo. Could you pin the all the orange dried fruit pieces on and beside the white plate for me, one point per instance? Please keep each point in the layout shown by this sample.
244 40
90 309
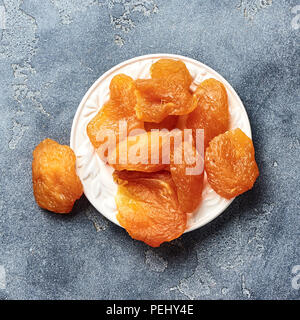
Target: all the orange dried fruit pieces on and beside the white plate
159 172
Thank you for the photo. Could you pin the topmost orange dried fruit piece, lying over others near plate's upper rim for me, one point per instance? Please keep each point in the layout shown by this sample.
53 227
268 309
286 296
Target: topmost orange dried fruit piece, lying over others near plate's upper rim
166 93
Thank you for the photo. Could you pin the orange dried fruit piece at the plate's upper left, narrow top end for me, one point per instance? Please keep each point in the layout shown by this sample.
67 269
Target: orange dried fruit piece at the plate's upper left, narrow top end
104 129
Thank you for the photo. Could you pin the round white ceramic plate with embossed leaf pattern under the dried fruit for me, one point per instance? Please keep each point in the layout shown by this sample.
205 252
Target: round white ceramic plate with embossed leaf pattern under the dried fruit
96 177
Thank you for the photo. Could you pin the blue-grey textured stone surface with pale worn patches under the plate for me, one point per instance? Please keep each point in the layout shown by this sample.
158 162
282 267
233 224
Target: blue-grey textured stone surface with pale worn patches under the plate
51 52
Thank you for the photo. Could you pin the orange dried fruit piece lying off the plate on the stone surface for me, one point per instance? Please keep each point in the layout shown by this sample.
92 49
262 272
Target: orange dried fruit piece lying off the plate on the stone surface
56 185
